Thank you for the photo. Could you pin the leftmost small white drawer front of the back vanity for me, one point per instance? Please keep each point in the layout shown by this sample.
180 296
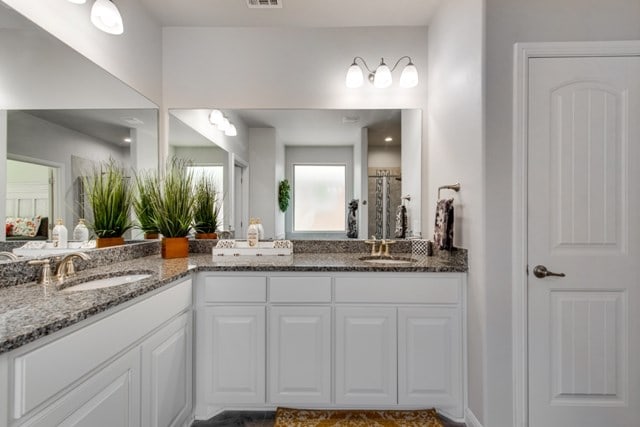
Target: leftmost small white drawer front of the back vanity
235 289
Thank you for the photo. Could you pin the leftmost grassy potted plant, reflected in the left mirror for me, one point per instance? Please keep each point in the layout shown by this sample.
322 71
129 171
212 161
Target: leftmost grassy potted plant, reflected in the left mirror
110 196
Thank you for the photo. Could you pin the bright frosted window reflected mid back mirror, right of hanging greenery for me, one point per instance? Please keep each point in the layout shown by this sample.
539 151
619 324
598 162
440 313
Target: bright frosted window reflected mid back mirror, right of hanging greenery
319 197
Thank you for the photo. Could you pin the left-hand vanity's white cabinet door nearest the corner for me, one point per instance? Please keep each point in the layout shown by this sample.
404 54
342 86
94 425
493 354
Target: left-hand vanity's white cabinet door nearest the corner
166 375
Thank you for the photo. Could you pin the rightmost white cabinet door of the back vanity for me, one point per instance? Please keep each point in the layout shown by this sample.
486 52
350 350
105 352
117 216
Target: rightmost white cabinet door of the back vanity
429 358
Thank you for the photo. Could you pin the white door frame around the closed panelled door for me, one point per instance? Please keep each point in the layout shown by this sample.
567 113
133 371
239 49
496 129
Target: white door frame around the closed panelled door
519 297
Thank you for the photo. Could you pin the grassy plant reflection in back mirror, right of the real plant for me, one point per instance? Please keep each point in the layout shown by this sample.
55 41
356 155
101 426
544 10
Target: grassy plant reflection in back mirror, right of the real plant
205 209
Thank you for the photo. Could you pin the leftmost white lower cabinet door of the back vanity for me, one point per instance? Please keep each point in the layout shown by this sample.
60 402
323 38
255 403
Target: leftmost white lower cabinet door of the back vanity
235 354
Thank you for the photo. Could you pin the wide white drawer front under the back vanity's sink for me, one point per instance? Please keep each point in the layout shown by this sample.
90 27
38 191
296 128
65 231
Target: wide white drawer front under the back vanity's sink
399 289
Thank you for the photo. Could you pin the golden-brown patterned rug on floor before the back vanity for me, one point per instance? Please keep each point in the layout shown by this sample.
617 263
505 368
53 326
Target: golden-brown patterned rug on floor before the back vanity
287 417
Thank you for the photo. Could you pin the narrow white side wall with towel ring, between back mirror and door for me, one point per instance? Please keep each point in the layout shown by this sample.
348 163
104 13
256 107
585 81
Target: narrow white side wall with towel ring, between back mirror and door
455 154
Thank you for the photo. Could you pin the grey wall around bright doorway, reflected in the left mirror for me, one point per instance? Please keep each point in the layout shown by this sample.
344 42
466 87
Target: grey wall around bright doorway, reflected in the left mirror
35 138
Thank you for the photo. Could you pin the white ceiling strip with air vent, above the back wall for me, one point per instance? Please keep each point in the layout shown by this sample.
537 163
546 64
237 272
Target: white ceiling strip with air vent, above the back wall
294 13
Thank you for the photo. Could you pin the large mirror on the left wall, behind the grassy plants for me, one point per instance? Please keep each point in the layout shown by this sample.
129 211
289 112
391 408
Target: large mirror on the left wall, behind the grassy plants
59 115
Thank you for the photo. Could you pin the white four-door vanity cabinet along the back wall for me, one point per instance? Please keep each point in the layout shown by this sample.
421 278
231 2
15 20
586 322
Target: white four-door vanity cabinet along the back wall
329 339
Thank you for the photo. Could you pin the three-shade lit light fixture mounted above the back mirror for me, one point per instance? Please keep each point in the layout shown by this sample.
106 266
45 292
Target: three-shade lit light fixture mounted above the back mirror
381 76
